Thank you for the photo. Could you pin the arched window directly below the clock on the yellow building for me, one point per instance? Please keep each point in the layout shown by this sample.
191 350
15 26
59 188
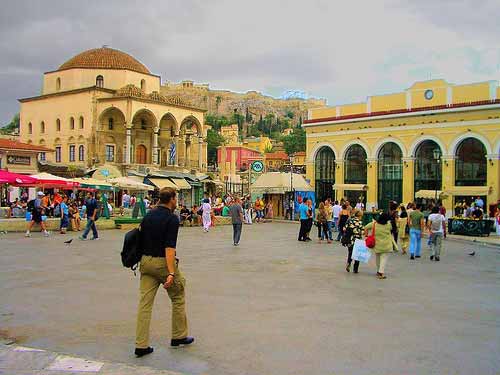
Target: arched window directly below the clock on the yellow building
427 169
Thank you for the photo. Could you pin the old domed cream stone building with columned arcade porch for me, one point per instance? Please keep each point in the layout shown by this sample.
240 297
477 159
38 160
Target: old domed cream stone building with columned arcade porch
103 106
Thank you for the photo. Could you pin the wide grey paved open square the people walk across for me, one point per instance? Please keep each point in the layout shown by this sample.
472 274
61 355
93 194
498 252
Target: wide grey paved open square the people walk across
270 306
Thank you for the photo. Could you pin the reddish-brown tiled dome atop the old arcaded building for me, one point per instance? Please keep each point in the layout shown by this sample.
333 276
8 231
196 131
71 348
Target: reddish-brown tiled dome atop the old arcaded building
104 58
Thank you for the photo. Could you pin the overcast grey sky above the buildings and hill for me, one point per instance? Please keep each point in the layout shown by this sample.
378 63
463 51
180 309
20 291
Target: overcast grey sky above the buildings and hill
339 50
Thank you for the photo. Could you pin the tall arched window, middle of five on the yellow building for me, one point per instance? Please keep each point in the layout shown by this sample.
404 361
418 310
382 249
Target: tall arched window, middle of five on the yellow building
390 175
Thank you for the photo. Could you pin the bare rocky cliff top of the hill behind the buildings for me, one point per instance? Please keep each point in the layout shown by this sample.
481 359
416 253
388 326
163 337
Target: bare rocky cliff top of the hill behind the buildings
225 102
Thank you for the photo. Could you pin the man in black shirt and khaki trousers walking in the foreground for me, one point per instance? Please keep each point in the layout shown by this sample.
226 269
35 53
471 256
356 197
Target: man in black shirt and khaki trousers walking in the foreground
159 265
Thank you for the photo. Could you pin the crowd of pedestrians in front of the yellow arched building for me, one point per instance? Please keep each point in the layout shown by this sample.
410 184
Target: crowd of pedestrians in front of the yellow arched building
399 228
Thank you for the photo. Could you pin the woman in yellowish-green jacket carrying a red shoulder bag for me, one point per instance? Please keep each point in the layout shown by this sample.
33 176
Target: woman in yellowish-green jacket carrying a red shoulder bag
381 242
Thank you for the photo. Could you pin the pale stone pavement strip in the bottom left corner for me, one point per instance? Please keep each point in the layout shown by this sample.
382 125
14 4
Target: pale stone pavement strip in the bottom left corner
21 360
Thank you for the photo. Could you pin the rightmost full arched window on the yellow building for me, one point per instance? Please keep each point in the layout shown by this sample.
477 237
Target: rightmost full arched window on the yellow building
470 163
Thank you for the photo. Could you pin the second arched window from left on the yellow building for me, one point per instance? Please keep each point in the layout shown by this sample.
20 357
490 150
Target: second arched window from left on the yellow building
355 172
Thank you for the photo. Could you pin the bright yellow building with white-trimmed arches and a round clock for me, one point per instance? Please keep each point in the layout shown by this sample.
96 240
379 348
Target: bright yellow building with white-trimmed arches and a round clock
433 136
